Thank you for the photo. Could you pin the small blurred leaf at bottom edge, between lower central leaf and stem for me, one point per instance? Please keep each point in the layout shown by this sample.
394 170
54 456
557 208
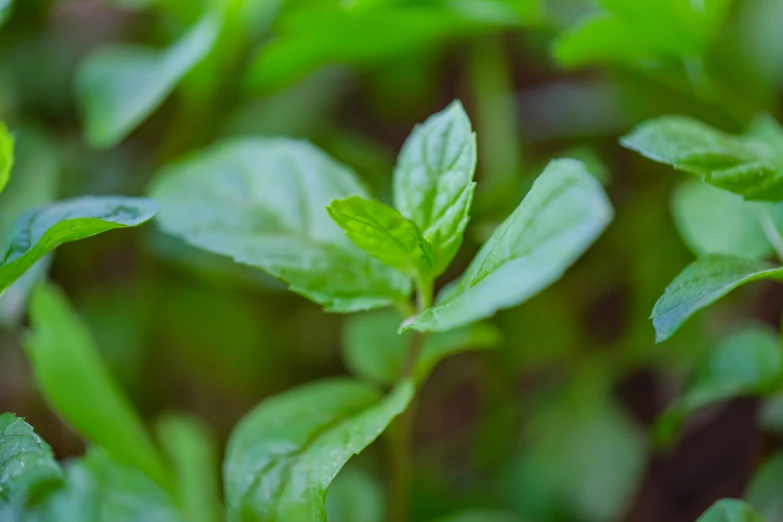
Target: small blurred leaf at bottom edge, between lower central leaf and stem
355 496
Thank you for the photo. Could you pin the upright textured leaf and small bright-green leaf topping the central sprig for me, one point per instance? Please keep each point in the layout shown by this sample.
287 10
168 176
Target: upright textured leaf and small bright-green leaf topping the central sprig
433 193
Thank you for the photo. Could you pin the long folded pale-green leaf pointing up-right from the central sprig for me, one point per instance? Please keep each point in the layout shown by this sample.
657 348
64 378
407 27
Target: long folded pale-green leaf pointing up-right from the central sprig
564 212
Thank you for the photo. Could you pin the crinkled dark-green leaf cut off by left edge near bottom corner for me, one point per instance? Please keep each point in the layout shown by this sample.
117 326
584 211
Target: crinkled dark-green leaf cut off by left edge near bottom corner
28 470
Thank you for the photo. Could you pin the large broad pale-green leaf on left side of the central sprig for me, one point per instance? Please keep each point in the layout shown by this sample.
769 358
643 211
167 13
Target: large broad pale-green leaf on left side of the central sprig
263 203
